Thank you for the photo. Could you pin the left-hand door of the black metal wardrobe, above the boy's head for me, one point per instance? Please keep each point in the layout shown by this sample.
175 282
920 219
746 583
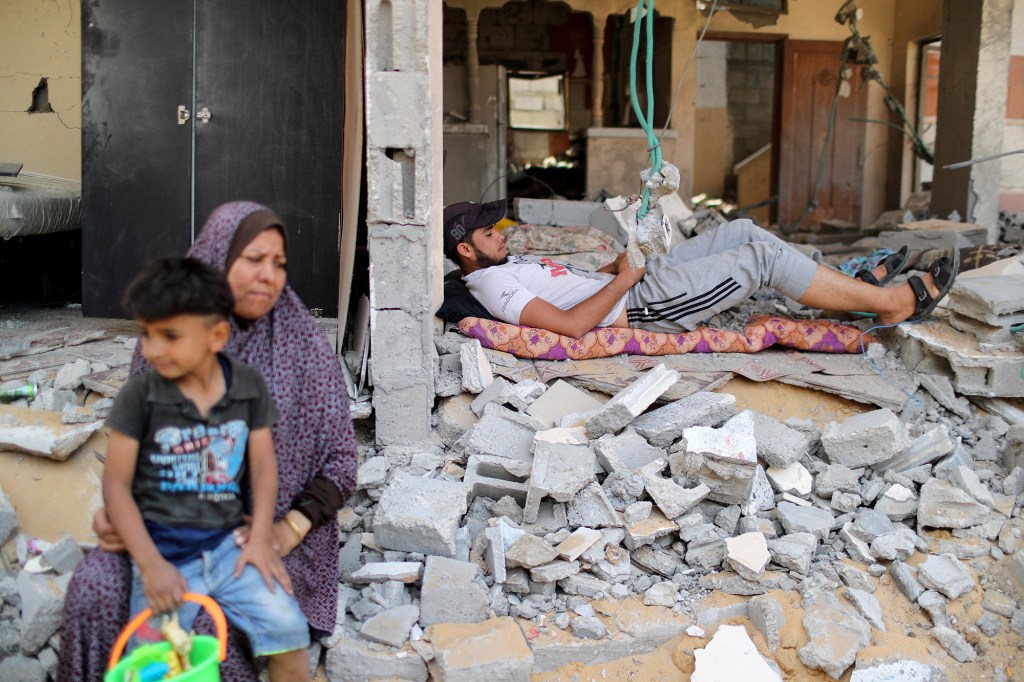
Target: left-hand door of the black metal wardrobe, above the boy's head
137 160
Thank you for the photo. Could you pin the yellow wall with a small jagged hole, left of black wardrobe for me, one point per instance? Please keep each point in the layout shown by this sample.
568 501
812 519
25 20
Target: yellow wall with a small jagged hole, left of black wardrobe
41 41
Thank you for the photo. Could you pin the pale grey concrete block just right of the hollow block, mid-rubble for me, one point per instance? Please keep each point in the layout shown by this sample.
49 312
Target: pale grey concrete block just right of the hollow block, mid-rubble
560 473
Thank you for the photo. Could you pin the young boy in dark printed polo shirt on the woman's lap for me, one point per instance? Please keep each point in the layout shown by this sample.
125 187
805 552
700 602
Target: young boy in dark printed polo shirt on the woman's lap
186 439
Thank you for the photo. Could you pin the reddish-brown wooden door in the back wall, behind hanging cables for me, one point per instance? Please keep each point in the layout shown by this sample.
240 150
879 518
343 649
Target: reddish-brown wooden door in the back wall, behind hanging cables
810 73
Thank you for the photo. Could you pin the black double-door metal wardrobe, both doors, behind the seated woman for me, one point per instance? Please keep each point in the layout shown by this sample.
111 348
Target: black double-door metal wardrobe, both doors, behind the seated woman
269 73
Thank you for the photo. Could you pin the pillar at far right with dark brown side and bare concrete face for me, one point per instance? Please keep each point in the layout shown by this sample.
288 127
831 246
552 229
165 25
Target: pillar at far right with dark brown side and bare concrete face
976 37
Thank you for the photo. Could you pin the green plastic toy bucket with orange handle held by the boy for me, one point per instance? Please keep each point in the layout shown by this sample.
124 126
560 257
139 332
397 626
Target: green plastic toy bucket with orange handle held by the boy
207 653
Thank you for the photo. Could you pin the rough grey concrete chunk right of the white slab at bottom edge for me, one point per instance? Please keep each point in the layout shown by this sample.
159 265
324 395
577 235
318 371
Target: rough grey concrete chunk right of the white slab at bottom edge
836 632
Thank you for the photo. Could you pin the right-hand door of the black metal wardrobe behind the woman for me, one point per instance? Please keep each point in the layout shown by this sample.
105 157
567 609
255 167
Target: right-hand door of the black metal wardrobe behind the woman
271 75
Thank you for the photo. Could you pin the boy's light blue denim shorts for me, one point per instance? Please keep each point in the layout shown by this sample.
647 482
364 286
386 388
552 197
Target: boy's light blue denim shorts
273 621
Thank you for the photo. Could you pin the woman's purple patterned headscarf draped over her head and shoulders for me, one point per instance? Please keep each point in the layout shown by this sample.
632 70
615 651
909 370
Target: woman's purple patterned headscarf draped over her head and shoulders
314 437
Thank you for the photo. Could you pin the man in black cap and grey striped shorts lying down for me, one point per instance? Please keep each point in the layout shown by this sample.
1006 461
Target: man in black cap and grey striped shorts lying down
675 292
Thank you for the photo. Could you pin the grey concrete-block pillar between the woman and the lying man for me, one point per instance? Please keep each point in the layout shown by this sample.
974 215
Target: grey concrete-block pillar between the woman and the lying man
404 210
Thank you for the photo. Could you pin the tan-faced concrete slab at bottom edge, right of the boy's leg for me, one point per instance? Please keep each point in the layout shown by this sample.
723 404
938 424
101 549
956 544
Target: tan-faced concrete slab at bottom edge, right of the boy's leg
494 650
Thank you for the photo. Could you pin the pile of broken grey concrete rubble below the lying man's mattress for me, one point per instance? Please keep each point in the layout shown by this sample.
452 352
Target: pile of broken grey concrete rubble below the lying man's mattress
545 503
